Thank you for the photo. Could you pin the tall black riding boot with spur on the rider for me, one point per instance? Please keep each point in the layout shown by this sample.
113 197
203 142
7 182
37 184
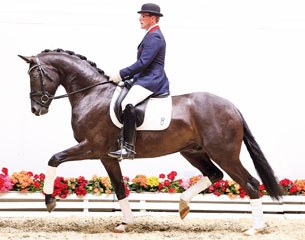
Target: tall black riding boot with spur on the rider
129 135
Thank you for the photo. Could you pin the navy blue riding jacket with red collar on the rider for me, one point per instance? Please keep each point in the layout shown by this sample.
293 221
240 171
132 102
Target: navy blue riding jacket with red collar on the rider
148 70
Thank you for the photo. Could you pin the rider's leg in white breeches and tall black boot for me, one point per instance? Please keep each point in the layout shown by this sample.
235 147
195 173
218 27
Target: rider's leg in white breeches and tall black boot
135 95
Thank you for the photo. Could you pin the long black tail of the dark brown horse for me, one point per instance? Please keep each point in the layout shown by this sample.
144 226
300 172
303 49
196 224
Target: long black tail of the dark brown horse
261 164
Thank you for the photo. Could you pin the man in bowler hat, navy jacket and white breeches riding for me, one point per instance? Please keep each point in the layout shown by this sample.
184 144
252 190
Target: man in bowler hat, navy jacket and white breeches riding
148 76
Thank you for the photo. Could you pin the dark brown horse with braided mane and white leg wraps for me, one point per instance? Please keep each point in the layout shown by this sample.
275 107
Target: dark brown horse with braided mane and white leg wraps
205 129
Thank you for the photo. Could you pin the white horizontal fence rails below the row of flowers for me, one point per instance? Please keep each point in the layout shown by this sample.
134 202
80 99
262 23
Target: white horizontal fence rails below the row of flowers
24 203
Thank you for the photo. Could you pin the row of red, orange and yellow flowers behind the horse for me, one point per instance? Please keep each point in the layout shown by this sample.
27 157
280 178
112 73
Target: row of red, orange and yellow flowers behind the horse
25 181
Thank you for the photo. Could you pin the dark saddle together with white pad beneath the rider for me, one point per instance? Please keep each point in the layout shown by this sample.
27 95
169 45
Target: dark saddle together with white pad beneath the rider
158 117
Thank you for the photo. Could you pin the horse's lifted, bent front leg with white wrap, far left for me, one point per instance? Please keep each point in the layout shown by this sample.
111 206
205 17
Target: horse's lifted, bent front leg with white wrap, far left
79 152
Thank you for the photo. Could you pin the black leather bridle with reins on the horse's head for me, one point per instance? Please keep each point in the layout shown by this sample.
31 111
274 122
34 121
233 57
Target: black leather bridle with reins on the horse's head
44 95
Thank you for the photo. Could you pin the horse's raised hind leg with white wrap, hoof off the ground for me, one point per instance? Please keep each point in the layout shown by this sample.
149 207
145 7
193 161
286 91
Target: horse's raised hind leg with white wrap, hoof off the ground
211 173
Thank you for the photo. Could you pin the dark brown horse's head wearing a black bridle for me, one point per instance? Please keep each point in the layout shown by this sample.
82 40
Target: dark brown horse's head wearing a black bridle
43 84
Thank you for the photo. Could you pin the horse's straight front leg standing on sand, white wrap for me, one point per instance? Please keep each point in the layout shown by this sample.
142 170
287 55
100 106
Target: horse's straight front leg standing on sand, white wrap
114 172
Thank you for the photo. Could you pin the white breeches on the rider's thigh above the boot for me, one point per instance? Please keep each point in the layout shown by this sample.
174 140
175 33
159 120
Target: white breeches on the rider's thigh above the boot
136 95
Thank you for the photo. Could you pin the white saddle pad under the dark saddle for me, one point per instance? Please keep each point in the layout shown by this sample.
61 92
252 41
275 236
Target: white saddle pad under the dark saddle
158 113
